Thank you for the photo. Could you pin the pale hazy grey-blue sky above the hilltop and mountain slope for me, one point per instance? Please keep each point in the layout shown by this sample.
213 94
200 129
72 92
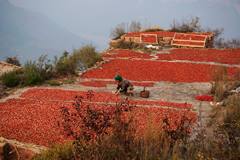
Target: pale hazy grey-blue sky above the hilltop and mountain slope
94 19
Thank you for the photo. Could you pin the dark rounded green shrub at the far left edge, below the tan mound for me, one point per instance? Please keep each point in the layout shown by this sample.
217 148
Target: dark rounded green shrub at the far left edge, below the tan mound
11 79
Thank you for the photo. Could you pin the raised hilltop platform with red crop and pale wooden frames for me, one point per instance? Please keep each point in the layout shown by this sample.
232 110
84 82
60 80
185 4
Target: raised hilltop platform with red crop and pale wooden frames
172 39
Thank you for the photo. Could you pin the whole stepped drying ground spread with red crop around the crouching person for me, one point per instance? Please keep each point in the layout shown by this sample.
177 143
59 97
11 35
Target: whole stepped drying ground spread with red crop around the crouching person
173 77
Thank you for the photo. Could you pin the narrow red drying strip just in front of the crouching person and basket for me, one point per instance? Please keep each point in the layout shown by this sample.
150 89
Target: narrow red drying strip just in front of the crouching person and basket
64 95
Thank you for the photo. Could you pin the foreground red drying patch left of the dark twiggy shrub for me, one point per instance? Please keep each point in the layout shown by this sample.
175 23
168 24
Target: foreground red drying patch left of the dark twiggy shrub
31 121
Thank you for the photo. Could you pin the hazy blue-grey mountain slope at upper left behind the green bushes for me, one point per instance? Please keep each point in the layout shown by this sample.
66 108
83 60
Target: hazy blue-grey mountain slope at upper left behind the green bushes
28 34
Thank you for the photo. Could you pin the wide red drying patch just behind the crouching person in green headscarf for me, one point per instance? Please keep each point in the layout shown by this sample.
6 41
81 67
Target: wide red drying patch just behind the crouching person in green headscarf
143 70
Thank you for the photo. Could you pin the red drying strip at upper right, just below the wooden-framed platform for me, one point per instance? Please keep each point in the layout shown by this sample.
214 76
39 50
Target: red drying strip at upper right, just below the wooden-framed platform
228 56
